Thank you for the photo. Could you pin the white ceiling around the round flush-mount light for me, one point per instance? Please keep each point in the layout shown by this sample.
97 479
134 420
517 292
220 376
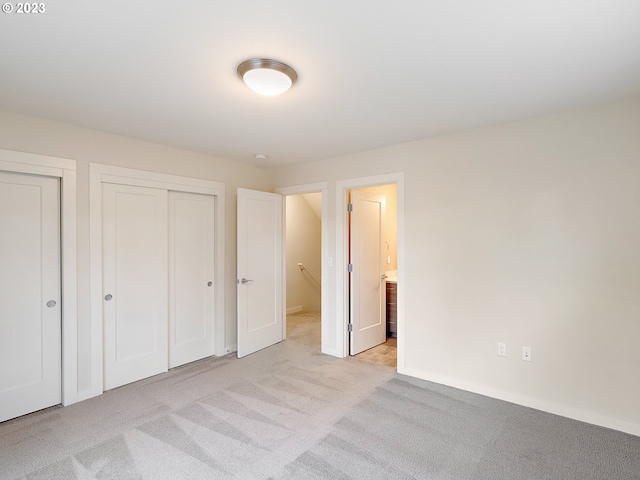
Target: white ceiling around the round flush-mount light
371 73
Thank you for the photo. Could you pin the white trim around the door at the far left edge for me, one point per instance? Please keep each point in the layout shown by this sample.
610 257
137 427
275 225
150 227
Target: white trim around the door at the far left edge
65 170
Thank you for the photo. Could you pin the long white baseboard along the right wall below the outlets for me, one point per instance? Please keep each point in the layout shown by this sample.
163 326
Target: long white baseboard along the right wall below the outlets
543 405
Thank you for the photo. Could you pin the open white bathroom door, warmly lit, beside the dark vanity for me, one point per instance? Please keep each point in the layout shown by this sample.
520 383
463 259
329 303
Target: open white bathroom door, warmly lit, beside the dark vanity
367 289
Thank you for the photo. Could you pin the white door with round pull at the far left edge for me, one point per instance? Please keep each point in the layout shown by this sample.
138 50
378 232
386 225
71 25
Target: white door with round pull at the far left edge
30 310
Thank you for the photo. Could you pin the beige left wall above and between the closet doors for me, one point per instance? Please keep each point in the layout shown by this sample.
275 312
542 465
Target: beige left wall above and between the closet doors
28 134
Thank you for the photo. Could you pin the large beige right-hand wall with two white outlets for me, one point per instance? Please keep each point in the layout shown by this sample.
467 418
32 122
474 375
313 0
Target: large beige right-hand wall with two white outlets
526 233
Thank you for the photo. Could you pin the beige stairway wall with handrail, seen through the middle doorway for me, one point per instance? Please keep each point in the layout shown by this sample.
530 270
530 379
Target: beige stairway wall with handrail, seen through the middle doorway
303 240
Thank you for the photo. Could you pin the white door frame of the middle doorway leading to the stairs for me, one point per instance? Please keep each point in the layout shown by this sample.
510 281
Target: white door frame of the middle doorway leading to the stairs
327 324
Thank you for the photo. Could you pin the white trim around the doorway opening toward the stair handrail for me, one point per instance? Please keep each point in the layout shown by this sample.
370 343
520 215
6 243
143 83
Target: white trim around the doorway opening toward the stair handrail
321 187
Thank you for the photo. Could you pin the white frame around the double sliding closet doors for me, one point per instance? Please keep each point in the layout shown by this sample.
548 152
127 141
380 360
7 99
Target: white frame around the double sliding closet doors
99 174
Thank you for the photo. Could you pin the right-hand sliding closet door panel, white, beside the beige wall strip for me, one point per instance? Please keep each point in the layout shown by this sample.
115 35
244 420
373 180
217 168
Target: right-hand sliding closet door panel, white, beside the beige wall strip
191 276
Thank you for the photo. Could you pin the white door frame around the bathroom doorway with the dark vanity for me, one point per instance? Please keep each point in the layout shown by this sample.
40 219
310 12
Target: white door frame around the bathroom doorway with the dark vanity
342 242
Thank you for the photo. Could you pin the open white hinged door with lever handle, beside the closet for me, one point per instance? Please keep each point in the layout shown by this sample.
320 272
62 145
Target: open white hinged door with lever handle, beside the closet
260 241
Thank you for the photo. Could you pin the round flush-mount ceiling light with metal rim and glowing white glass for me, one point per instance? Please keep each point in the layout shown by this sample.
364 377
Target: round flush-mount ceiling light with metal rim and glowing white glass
267 77
